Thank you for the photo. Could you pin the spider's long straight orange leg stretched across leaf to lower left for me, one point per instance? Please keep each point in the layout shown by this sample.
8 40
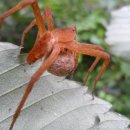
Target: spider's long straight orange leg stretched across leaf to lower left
34 78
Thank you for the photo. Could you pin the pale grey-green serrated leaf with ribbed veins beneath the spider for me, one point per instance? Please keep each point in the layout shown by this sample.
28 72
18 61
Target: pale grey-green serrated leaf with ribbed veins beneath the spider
54 104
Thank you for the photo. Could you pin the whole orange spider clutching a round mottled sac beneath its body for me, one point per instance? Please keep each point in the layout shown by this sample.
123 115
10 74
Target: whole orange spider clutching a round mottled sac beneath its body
58 47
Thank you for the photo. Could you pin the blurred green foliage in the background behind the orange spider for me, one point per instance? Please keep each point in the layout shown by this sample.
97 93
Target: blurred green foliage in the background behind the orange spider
90 17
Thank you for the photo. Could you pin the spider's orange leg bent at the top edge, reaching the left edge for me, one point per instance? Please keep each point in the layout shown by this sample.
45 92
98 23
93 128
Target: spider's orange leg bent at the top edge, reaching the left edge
36 11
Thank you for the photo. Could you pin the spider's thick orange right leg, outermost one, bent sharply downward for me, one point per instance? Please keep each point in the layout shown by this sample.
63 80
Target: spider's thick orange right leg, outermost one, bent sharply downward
84 49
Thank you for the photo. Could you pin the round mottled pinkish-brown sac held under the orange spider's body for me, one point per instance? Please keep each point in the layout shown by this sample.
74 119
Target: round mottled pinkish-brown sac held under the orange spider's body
64 64
